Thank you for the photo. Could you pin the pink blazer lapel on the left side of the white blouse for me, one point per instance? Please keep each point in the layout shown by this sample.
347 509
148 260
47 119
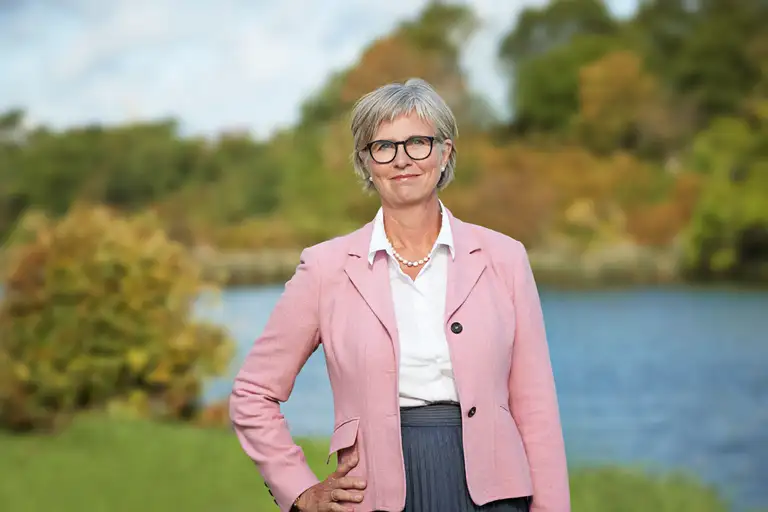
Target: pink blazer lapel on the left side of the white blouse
372 281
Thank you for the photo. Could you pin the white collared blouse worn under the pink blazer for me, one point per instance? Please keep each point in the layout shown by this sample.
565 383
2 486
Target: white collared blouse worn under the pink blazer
426 373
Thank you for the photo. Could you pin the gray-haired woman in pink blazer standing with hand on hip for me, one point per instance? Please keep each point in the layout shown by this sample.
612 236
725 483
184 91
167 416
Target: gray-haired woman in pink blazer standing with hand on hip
433 334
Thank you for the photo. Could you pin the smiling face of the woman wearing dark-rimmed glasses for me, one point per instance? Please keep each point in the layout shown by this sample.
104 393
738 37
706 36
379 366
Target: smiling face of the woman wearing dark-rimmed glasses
412 175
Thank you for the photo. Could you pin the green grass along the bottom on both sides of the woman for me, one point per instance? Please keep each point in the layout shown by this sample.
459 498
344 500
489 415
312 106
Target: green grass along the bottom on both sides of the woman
122 466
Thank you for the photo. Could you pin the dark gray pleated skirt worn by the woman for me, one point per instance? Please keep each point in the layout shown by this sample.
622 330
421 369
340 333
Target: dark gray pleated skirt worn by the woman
434 463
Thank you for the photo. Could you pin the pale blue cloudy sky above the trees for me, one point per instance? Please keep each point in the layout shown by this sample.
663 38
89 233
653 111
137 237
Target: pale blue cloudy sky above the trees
212 64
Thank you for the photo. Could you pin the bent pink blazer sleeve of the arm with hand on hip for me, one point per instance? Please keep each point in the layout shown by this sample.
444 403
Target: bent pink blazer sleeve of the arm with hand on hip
267 377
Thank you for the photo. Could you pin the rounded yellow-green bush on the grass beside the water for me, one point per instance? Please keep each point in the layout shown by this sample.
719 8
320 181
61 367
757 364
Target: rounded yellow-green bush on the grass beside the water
97 312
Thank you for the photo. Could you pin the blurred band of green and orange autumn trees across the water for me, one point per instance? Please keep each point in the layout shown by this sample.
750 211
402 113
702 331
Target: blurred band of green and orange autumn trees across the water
643 132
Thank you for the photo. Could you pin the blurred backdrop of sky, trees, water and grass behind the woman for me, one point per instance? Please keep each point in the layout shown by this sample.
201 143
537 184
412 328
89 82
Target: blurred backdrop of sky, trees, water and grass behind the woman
163 163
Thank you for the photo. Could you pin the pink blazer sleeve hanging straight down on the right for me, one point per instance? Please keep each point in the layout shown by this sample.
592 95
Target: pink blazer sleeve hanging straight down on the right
532 395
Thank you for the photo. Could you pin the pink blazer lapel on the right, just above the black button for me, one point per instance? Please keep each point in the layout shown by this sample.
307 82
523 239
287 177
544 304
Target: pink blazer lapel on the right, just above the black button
465 269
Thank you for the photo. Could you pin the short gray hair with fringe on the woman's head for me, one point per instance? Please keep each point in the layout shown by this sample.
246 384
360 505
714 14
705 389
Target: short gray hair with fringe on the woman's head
395 99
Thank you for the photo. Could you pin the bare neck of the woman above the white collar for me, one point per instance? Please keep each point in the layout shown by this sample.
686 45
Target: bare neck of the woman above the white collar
413 227
